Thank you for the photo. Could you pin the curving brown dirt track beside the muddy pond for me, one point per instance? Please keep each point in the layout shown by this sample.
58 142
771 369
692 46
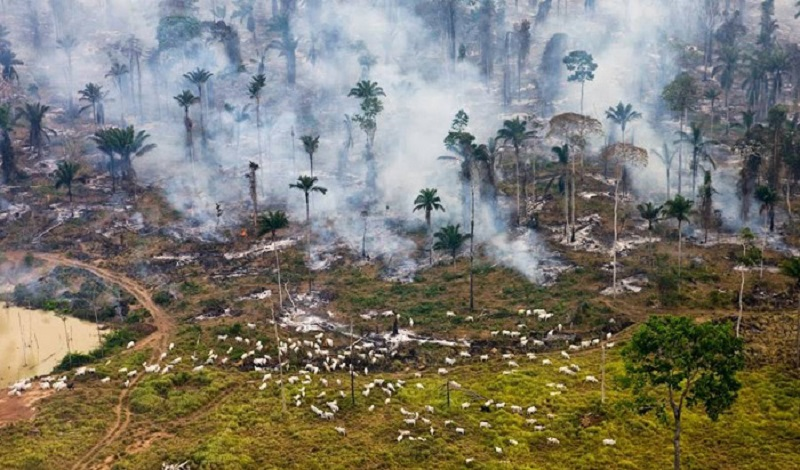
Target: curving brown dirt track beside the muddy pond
158 340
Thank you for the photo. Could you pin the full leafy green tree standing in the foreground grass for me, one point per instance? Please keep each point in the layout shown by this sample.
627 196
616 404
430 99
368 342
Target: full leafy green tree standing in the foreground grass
696 364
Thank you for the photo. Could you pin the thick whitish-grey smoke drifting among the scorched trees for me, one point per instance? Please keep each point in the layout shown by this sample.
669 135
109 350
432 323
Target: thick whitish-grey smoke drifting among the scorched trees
631 42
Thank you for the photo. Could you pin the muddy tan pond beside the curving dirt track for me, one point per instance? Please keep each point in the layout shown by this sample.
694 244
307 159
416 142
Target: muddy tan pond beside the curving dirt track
33 342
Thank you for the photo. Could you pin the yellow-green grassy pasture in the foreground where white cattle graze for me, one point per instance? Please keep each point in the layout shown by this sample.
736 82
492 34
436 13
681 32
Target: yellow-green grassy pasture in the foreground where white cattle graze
218 419
